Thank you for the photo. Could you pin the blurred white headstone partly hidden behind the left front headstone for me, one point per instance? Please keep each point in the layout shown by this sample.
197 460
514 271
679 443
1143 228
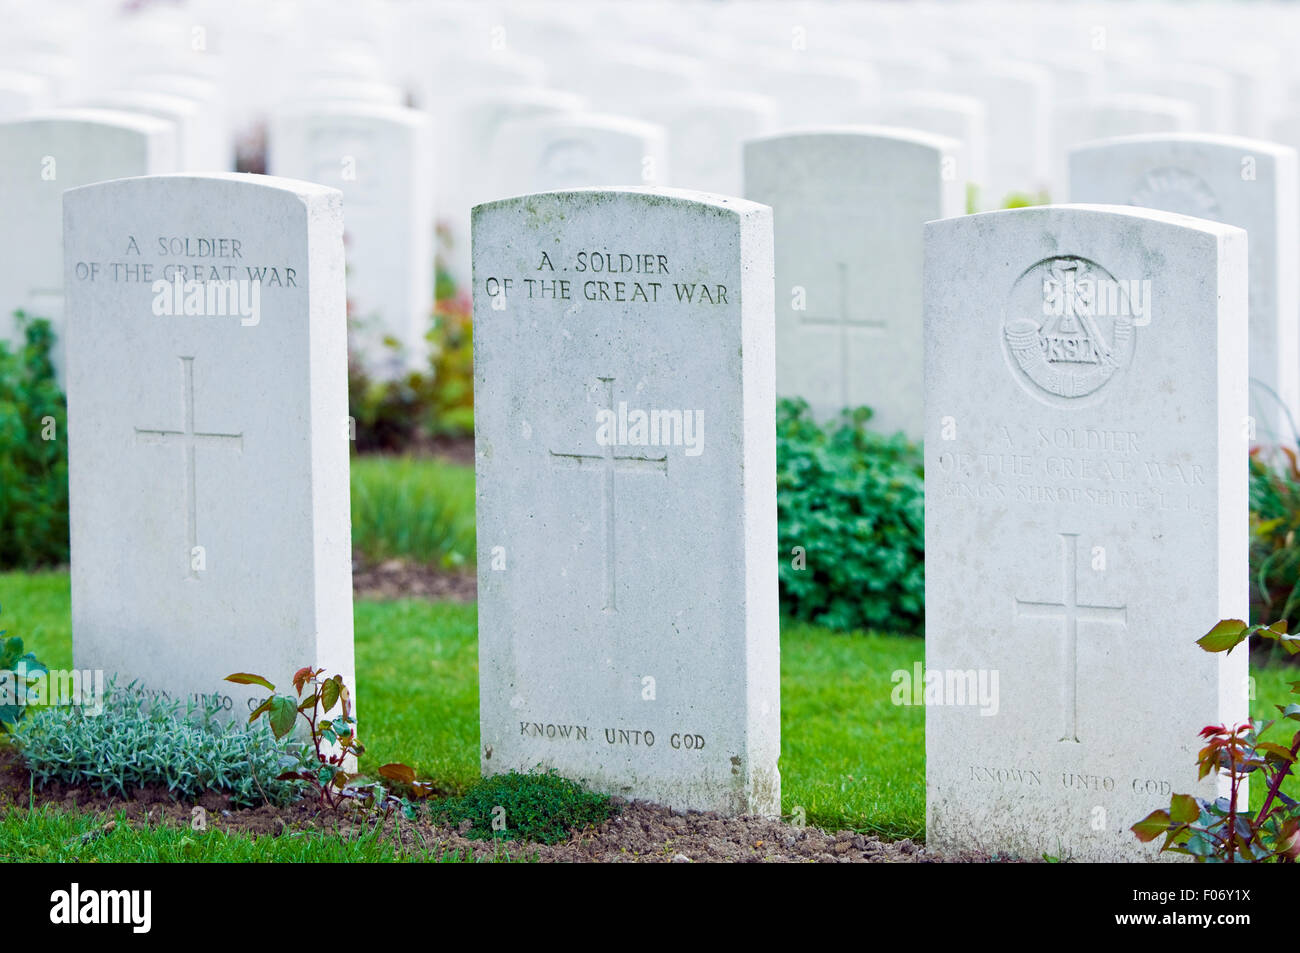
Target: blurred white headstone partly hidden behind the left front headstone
379 158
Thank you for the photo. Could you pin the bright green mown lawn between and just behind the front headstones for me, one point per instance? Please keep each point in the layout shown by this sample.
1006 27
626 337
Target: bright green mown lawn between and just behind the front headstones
850 757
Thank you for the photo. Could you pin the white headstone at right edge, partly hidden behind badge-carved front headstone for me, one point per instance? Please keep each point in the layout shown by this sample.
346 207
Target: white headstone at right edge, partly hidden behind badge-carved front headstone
1243 183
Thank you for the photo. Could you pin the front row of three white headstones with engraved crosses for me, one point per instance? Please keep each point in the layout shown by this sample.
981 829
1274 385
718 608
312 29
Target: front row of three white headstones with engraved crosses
1086 384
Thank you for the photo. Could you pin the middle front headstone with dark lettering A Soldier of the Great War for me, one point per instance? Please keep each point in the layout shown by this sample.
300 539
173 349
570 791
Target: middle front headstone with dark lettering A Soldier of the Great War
627 497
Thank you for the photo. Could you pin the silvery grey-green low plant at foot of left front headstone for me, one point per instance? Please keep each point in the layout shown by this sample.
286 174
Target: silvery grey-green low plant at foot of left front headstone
140 742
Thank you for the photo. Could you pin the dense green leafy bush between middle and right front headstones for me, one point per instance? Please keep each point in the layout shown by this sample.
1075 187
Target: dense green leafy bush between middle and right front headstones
851 523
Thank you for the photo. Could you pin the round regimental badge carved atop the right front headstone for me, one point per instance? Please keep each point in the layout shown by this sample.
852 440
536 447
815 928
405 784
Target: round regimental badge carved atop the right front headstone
1069 327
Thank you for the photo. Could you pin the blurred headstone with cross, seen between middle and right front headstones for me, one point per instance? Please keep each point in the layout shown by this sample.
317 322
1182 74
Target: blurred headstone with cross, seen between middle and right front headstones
850 207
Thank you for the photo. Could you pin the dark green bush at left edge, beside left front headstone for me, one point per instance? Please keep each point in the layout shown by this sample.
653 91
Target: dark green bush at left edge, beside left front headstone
33 453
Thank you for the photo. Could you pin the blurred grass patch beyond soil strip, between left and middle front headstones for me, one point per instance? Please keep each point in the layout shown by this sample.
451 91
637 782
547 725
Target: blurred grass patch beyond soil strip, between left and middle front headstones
414 509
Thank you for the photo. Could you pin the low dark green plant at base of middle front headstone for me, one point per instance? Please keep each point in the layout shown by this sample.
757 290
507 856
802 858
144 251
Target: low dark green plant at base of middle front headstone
540 808
